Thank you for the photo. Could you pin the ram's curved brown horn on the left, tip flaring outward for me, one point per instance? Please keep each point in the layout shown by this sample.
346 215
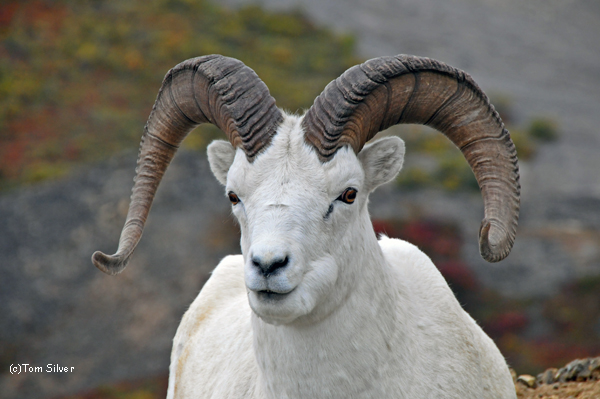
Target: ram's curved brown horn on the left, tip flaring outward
215 89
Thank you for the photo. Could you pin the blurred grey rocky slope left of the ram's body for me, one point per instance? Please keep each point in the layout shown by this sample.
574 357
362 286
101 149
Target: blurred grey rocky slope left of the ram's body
60 310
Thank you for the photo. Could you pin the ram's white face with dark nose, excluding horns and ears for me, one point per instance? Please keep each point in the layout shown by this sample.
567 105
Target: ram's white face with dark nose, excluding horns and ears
298 218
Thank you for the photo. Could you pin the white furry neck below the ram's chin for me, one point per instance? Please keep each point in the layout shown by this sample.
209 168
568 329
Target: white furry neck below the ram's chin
345 353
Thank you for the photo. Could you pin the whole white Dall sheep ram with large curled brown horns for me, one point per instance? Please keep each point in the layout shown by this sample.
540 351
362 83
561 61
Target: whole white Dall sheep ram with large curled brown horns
316 306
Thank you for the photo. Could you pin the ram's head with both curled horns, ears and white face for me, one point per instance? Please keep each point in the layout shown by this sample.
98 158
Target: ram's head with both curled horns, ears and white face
299 185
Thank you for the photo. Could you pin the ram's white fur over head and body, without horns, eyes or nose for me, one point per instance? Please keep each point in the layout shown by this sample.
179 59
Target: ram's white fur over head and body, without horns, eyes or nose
358 318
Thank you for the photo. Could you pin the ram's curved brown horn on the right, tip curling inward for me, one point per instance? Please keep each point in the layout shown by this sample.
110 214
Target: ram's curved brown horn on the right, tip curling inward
382 92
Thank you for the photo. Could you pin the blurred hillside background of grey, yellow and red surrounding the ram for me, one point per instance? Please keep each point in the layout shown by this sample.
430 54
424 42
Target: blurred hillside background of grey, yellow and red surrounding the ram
78 80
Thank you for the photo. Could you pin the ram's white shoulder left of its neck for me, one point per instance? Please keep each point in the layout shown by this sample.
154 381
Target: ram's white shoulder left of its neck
212 350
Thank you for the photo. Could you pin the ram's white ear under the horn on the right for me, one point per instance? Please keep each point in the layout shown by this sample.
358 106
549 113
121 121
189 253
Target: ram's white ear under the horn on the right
381 161
